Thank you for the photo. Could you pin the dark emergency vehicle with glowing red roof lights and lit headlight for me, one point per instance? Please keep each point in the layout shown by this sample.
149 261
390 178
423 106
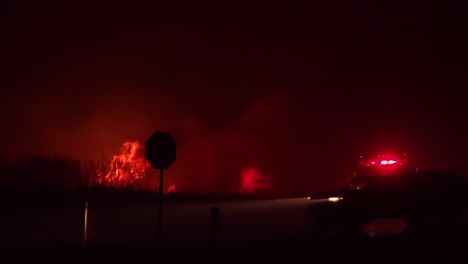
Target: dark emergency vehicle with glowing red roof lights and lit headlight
388 186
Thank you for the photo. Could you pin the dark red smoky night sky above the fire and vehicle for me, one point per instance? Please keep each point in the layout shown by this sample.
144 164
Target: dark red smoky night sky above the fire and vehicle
295 88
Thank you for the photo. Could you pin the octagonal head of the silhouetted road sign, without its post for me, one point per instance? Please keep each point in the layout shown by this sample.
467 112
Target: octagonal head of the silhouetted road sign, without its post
160 150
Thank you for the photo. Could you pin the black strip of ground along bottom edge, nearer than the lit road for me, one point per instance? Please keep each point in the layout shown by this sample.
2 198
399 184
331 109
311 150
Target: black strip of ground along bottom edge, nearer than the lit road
433 247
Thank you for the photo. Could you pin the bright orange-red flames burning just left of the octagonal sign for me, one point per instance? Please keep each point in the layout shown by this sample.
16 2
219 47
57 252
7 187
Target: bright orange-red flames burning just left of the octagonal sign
128 169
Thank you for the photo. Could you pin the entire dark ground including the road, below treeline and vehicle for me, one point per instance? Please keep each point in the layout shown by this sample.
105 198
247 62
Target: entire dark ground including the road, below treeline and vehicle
250 230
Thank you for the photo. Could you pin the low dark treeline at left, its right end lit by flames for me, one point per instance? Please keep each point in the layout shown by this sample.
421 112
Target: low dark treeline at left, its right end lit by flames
45 172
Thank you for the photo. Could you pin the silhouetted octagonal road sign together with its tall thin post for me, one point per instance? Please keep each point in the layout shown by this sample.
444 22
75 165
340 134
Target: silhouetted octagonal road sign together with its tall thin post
160 152
